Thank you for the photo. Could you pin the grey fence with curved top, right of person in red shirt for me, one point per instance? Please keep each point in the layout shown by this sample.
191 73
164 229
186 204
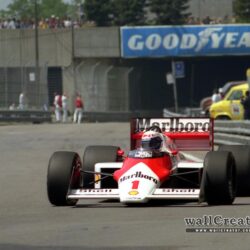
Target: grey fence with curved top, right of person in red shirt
104 86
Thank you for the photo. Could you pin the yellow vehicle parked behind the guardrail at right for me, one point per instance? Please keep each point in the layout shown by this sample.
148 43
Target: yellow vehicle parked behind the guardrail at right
230 107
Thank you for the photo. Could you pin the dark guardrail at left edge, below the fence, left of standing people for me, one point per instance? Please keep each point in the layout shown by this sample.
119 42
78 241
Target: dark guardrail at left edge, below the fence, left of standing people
34 116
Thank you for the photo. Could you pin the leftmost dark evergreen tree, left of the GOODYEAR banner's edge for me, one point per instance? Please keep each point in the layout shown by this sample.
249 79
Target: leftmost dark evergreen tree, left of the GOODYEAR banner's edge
99 11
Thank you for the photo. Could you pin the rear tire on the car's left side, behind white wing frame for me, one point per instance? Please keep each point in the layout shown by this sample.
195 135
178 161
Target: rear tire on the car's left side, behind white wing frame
93 155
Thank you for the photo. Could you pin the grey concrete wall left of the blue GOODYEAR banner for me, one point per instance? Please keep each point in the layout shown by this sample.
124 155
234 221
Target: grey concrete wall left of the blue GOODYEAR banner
17 47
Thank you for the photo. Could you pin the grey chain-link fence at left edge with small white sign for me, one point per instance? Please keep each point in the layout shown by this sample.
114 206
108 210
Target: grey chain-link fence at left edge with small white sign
17 80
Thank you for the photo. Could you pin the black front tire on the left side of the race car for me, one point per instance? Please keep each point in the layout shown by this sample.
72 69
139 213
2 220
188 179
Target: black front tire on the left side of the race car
63 174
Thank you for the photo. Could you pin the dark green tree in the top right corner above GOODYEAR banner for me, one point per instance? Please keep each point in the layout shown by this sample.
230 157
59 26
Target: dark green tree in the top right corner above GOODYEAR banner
241 10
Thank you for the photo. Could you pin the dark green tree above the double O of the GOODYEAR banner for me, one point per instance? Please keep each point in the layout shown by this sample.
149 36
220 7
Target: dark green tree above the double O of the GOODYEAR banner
169 12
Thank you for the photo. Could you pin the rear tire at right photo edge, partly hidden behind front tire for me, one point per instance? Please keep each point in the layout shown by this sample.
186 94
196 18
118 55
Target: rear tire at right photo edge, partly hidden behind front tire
241 155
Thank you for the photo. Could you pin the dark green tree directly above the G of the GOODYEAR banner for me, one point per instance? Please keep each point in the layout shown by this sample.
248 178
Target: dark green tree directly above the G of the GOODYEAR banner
129 12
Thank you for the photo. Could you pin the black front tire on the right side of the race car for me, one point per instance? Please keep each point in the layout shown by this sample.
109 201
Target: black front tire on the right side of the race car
219 178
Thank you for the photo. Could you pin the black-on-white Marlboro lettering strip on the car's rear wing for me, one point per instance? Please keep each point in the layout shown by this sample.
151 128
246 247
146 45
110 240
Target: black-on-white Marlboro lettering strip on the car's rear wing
174 124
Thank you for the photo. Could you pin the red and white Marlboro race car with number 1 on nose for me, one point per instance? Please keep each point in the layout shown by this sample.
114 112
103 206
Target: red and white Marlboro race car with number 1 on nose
154 168
